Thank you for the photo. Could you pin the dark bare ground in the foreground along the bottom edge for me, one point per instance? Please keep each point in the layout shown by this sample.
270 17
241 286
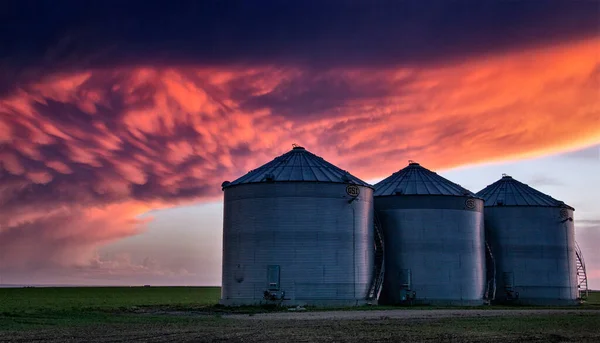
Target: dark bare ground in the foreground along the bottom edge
527 325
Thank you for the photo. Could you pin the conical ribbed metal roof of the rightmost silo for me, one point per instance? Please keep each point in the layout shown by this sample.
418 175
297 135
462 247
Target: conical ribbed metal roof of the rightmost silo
510 192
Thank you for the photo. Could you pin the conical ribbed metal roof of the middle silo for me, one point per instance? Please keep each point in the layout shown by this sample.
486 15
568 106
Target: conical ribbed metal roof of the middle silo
416 180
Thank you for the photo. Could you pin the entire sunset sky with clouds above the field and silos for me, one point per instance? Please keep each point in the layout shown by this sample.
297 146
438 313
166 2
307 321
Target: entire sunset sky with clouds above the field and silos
119 120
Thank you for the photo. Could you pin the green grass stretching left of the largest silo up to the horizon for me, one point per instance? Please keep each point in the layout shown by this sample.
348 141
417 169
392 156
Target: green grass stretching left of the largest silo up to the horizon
30 308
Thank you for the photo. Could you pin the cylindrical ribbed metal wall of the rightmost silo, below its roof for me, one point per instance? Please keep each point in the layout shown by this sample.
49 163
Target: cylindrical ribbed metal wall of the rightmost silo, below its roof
537 245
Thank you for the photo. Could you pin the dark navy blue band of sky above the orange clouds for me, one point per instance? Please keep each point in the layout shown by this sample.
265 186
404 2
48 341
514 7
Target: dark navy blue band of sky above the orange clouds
95 33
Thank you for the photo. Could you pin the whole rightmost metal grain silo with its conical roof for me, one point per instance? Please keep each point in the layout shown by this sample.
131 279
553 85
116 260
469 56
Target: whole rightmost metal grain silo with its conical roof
533 241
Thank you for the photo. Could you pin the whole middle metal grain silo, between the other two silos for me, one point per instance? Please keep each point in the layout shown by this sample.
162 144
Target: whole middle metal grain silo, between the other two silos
434 239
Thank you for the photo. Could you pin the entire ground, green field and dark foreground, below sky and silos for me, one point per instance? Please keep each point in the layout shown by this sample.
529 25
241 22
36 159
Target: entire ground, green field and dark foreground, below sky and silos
180 314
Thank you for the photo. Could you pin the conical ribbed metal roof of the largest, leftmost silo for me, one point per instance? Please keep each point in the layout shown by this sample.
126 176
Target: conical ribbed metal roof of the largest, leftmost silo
297 165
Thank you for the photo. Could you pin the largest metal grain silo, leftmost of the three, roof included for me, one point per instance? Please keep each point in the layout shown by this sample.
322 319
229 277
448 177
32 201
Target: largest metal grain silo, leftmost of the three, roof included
297 230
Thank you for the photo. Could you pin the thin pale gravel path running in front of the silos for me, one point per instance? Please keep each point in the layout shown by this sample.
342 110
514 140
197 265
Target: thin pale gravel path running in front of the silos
403 314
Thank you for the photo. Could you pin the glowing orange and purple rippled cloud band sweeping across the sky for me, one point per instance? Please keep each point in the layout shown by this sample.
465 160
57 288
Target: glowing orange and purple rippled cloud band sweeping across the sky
84 153
